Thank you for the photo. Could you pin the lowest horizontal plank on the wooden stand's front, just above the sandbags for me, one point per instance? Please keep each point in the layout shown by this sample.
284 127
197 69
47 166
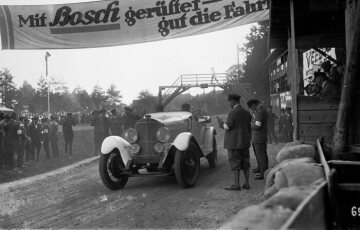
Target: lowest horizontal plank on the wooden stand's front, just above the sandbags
316 129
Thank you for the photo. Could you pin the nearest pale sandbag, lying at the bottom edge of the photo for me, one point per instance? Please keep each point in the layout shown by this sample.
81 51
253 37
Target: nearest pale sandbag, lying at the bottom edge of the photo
258 217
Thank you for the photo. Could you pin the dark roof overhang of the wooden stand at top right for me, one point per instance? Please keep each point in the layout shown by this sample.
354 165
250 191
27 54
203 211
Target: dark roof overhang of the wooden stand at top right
319 23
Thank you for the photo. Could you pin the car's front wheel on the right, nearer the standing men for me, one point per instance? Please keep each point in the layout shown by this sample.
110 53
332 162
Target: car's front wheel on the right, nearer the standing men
187 166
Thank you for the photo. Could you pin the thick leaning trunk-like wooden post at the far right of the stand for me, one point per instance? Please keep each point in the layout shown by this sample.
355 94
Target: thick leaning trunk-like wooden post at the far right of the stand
352 28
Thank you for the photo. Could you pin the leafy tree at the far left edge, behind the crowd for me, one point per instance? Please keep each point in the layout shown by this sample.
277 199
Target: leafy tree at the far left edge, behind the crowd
7 86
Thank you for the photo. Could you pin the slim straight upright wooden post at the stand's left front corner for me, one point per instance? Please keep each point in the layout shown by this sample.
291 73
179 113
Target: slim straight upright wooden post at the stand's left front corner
292 52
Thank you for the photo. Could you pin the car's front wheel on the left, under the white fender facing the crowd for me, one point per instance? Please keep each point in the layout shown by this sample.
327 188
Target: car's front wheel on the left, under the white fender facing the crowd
111 168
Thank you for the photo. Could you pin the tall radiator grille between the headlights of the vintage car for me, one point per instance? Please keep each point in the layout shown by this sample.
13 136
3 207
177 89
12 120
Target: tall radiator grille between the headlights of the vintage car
146 129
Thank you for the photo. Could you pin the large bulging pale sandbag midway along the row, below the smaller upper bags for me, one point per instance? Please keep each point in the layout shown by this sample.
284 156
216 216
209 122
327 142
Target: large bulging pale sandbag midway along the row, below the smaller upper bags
299 174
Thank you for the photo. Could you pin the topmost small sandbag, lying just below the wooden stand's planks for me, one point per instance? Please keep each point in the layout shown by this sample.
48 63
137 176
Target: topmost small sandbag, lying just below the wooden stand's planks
295 151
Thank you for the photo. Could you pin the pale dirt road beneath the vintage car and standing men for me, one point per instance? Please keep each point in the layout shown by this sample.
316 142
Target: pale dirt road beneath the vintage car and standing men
78 199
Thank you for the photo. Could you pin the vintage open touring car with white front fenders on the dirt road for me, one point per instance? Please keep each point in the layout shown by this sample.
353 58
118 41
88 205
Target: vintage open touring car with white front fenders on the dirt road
162 143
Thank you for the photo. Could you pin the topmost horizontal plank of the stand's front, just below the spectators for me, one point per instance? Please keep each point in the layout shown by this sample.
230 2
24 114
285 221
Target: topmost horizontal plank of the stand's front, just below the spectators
307 103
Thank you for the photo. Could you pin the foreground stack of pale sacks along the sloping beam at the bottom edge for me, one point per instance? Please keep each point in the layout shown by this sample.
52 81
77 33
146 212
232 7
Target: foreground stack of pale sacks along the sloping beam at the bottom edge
274 212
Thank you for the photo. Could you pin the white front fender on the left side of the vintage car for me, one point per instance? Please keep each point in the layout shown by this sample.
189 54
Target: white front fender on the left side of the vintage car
119 143
